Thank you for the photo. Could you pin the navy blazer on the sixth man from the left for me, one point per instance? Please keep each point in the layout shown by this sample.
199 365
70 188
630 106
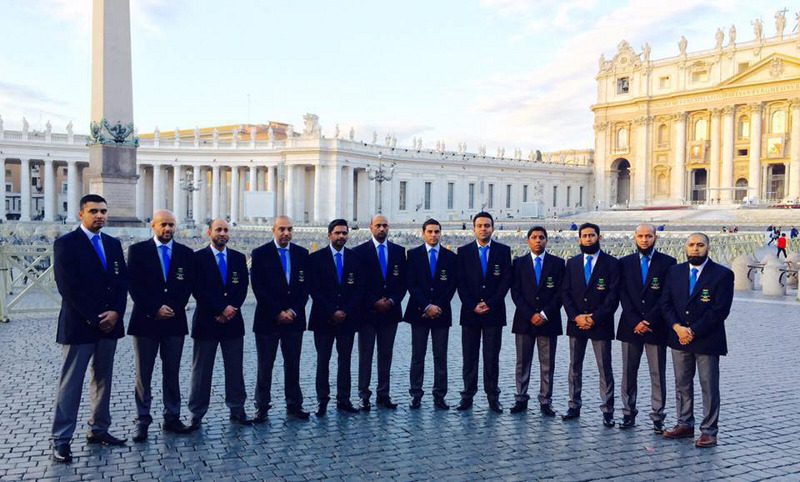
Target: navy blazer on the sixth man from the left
376 287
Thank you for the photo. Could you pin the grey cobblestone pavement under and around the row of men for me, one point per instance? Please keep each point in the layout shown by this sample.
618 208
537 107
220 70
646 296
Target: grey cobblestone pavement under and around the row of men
758 426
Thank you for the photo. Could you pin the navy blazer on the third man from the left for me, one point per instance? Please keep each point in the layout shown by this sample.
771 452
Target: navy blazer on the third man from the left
212 296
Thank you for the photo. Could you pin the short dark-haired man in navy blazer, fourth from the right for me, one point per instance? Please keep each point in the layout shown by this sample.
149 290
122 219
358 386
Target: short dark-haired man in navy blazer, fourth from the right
536 291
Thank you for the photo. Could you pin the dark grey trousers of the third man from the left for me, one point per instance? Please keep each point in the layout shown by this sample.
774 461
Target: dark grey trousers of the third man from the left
205 352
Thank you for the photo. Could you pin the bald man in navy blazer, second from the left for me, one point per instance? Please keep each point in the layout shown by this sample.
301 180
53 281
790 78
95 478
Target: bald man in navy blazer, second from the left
162 276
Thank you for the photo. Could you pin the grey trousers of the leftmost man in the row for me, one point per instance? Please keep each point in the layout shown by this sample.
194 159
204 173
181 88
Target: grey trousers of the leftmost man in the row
70 388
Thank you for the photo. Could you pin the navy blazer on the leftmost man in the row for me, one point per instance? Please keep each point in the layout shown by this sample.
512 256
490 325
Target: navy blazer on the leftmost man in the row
87 289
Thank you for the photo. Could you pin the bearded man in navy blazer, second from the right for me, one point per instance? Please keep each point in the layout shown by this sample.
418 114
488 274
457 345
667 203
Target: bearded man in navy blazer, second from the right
641 328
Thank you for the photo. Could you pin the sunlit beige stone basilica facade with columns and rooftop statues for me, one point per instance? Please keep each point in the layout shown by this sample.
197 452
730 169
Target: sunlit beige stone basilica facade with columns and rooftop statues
718 126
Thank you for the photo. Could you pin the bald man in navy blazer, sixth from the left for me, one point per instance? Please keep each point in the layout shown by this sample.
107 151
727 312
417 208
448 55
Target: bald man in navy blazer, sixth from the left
384 265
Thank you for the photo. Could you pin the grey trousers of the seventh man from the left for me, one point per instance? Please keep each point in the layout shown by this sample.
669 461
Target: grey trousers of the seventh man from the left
419 347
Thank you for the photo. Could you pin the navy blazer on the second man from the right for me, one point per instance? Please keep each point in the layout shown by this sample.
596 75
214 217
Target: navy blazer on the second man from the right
643 301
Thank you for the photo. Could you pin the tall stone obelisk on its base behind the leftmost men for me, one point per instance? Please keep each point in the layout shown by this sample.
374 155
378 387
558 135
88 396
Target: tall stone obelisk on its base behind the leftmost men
112 144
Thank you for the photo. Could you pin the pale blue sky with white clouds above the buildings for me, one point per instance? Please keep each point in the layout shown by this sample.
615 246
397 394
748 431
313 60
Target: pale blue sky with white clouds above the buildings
500 73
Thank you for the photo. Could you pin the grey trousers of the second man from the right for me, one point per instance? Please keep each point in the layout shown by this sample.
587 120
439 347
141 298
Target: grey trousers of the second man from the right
657 365
